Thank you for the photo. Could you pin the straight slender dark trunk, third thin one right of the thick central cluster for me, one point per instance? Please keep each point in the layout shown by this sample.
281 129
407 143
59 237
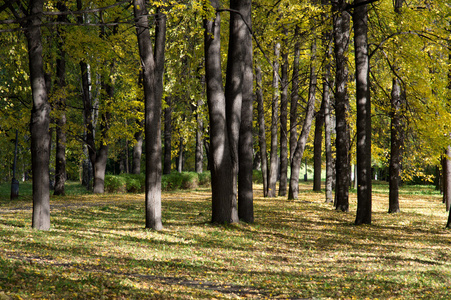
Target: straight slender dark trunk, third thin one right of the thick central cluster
284 119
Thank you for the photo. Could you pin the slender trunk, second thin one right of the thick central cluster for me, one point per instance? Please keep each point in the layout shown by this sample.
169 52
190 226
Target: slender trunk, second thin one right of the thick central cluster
273 159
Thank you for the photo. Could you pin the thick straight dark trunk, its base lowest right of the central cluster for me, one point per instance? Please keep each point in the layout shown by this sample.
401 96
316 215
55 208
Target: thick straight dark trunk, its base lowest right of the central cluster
364 189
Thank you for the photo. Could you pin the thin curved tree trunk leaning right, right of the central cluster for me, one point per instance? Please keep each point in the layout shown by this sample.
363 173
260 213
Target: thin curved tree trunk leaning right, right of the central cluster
296 161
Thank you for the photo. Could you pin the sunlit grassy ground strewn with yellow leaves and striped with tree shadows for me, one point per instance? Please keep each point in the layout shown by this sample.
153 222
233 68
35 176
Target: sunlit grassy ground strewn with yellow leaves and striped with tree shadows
97 248
